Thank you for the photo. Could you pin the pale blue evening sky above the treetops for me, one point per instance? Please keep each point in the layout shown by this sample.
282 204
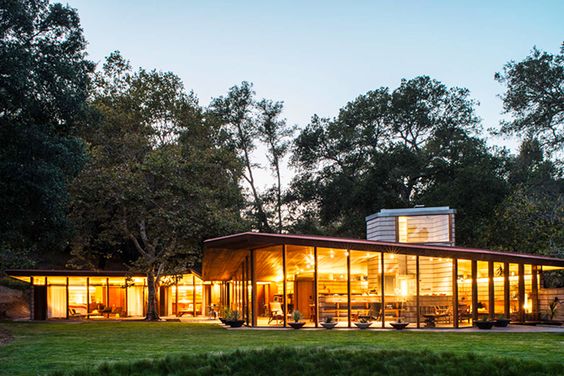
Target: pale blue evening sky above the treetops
317 55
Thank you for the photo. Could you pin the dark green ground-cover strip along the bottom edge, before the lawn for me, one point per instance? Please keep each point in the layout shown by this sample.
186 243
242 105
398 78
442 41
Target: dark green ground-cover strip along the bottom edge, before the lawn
323 361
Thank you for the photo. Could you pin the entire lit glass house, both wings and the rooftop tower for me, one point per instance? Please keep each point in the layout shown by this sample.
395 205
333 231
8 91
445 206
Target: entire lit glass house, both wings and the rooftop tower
409 268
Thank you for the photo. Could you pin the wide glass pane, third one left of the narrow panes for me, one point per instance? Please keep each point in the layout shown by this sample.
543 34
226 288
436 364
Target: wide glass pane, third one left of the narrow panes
366 286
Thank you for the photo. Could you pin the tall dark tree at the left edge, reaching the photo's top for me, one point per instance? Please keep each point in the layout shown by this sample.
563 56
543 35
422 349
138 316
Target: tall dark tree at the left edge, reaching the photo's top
43 88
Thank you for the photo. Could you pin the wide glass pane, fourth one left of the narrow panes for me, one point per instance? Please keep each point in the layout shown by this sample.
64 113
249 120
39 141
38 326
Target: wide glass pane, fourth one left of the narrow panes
332 285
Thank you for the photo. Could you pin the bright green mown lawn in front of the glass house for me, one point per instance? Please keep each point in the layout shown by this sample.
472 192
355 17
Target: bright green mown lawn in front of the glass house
41 348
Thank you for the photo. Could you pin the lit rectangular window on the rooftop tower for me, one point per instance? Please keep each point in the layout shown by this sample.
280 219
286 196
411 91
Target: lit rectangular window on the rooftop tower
423 229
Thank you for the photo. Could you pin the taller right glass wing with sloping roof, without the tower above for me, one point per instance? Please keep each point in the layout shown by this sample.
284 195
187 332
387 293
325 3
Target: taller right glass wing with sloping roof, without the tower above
268 276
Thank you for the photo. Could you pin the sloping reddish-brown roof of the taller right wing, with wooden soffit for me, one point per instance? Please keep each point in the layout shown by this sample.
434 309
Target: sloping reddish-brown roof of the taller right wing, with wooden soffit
221 254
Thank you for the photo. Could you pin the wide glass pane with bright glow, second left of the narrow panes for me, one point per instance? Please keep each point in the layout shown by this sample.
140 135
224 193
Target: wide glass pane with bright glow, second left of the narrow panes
400 288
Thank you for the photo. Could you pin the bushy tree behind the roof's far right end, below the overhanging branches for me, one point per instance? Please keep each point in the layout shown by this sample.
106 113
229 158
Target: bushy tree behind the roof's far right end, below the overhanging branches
530 218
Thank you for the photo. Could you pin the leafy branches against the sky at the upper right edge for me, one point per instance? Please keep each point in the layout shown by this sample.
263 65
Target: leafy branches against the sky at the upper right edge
535 98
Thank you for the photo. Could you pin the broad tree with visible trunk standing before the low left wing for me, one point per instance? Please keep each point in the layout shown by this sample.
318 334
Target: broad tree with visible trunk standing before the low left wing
160 179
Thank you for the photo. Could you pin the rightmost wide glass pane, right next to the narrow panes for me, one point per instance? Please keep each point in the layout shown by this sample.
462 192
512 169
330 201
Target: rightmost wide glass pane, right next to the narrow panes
435 290
